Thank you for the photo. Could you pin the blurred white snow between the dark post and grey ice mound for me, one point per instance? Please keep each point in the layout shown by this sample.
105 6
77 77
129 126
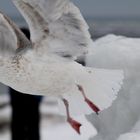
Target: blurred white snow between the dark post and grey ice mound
57 128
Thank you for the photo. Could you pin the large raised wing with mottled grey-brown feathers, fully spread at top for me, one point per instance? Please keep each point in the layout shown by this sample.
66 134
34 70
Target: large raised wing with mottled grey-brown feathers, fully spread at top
57 21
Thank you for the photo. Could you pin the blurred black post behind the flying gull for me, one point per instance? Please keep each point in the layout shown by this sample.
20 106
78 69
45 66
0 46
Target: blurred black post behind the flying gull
25 114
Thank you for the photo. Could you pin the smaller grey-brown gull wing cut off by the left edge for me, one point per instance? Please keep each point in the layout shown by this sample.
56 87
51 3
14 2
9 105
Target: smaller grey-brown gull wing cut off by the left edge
11 38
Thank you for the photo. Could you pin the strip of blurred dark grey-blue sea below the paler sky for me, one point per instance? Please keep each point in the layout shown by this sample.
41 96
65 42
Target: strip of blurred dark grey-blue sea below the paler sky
129 27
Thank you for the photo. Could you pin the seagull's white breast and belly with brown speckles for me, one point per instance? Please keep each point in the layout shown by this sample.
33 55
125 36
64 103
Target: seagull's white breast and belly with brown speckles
48 76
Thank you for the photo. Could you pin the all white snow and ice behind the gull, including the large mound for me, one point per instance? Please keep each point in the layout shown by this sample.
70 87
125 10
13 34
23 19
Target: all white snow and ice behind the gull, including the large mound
119 122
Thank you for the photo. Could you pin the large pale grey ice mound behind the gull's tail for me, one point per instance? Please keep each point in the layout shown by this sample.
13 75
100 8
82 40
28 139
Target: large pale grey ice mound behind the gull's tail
118 52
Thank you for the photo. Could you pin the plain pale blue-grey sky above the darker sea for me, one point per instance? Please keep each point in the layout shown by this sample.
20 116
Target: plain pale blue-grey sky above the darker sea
92 8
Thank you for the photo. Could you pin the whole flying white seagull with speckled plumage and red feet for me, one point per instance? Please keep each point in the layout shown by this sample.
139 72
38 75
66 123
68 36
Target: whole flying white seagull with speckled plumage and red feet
47 65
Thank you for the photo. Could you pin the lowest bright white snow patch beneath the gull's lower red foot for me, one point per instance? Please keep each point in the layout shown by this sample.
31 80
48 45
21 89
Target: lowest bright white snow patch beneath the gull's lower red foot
64 131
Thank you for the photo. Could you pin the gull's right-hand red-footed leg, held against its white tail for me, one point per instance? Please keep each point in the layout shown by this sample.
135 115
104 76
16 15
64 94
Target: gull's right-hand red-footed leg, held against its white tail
90 103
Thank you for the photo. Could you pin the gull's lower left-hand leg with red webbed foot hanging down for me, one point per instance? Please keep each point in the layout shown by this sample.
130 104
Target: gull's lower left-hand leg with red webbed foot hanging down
76 125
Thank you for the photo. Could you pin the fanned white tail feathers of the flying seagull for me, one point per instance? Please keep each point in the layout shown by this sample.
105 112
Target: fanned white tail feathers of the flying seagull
100 87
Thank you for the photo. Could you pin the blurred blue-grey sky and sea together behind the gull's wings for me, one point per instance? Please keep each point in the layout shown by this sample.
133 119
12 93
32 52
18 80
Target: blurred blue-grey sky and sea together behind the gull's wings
108 16
